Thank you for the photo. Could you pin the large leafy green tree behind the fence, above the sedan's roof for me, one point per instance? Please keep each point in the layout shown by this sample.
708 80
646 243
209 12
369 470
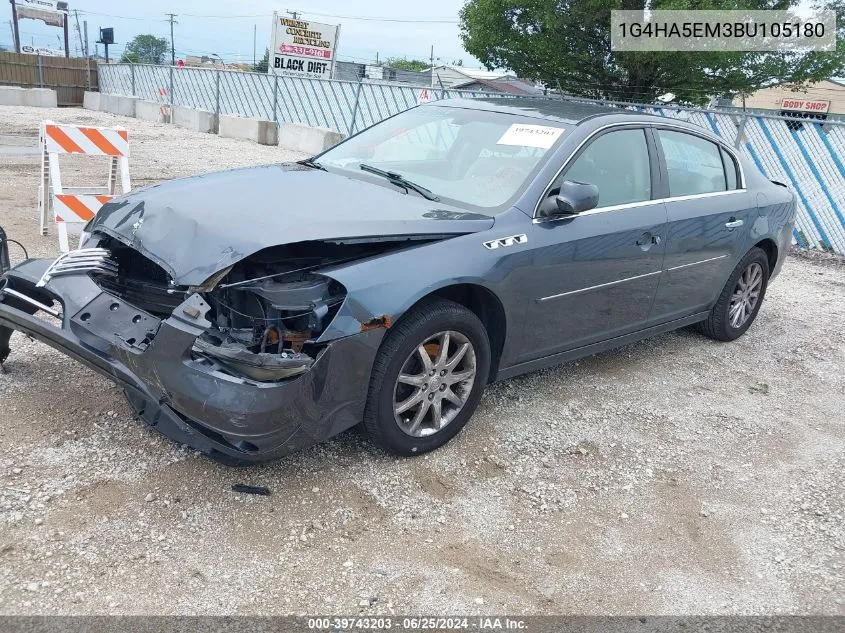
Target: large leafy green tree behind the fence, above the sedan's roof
566 43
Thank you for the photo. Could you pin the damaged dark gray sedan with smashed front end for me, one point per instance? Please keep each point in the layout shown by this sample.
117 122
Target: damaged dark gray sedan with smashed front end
254 312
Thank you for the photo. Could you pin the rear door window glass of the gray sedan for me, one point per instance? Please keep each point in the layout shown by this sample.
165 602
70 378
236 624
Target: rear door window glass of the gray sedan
694 164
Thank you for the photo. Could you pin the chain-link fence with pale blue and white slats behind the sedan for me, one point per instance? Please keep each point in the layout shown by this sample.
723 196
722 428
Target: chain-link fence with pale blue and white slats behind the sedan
808 155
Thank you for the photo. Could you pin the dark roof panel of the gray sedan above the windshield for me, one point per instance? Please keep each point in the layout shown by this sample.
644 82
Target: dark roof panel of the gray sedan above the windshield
552 109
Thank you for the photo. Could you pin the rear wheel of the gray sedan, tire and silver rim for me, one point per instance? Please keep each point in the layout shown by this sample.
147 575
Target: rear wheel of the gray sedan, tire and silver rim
740 299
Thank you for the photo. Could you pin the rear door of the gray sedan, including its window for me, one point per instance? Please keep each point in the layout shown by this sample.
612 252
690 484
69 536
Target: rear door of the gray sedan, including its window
709 213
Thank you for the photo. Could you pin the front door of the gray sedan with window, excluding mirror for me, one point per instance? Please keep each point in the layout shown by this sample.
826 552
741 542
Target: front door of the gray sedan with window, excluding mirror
596 273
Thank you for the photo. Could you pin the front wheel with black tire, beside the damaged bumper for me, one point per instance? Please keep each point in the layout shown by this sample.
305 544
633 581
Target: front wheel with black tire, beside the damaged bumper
427 378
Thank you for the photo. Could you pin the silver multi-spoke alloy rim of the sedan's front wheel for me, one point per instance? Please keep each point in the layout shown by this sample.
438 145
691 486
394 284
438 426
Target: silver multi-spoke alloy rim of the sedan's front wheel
434 383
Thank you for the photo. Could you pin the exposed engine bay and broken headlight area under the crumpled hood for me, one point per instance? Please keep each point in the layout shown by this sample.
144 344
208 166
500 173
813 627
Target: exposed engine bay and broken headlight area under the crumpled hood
266 311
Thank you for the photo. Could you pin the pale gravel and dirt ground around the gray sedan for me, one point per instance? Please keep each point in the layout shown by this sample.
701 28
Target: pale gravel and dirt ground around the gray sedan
676 475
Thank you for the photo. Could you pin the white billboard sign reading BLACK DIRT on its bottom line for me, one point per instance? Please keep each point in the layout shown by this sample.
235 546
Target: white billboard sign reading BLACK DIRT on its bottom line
301 48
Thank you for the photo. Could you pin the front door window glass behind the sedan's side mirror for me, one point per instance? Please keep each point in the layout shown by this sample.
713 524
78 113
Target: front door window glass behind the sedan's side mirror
618 164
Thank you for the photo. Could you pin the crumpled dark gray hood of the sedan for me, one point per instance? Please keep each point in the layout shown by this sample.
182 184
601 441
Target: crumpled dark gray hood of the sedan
195 227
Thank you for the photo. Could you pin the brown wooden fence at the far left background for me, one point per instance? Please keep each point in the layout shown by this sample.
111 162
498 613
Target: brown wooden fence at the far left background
70 78
